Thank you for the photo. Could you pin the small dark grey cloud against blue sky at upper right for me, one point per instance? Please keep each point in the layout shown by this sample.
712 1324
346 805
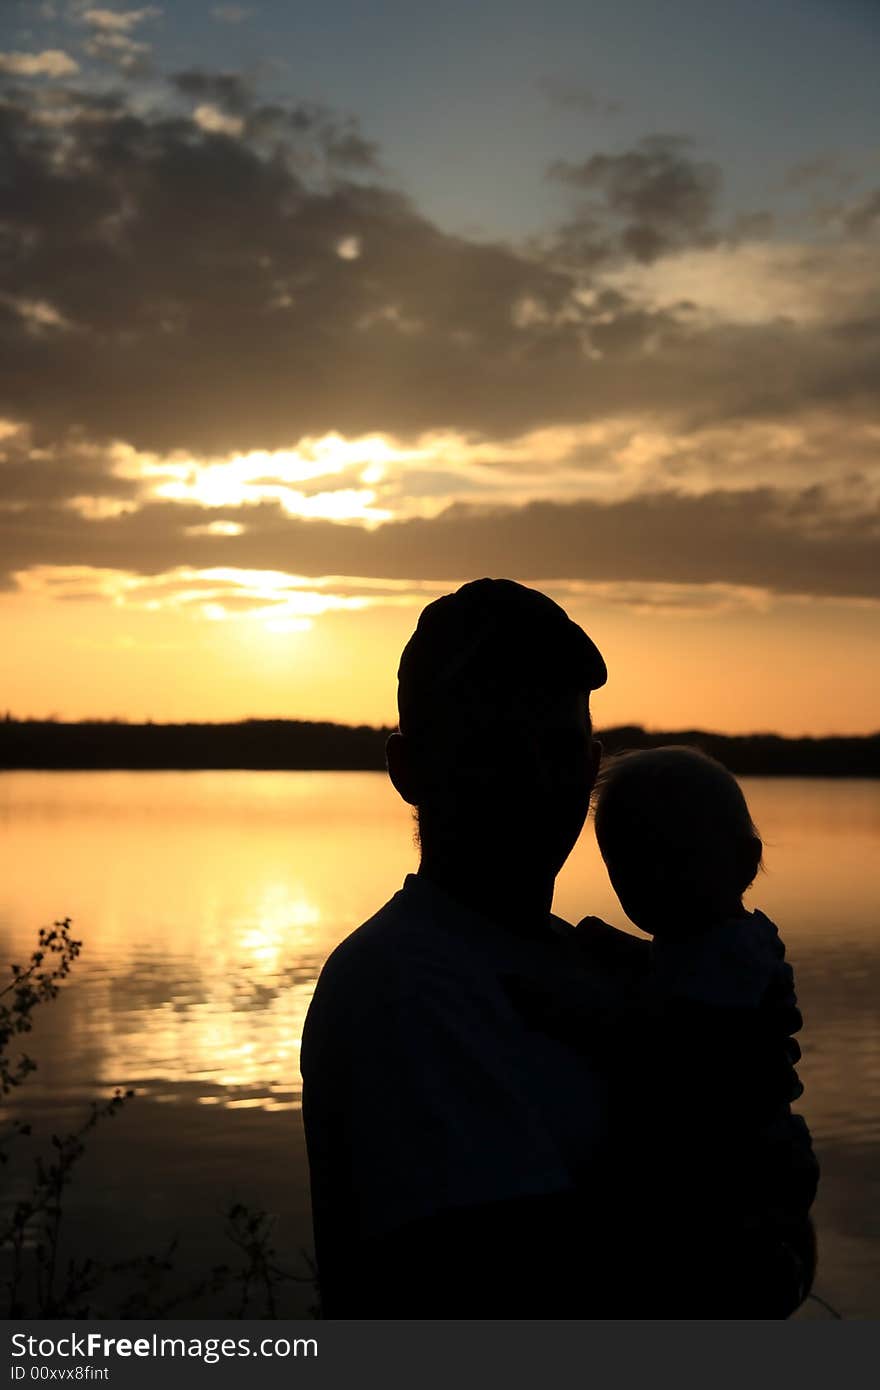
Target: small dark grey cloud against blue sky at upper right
649 201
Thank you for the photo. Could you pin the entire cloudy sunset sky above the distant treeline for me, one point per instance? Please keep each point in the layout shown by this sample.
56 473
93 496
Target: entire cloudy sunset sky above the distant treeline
311 312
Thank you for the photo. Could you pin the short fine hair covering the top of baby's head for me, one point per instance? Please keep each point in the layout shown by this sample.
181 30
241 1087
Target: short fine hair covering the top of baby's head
681 807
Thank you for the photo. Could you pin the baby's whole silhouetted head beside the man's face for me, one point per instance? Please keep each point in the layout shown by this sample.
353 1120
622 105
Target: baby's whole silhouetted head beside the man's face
678 839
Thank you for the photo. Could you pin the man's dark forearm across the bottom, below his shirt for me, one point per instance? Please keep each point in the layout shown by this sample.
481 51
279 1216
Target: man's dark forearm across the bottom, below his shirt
553 1257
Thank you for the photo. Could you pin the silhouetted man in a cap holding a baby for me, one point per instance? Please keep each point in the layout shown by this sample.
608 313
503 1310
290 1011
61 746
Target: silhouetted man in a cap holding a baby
451 1143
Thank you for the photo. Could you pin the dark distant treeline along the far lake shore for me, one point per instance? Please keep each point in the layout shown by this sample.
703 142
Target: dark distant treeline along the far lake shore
300 746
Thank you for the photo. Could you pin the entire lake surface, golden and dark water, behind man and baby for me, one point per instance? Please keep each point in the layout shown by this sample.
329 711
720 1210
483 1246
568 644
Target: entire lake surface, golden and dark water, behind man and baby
206 904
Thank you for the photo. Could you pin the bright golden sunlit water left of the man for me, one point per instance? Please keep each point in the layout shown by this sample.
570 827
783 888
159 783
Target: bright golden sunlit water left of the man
206 903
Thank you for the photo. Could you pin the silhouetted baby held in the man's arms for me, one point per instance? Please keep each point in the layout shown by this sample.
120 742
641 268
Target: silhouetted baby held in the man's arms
706 1065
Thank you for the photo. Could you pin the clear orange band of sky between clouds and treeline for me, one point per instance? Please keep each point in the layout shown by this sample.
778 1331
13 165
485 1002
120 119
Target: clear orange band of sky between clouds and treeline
793 667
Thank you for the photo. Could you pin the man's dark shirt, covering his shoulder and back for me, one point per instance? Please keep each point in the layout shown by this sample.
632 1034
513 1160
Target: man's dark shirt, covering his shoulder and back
425 1090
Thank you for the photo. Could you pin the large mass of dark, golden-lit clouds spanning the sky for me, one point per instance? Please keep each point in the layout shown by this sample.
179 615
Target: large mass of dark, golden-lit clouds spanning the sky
211 279
